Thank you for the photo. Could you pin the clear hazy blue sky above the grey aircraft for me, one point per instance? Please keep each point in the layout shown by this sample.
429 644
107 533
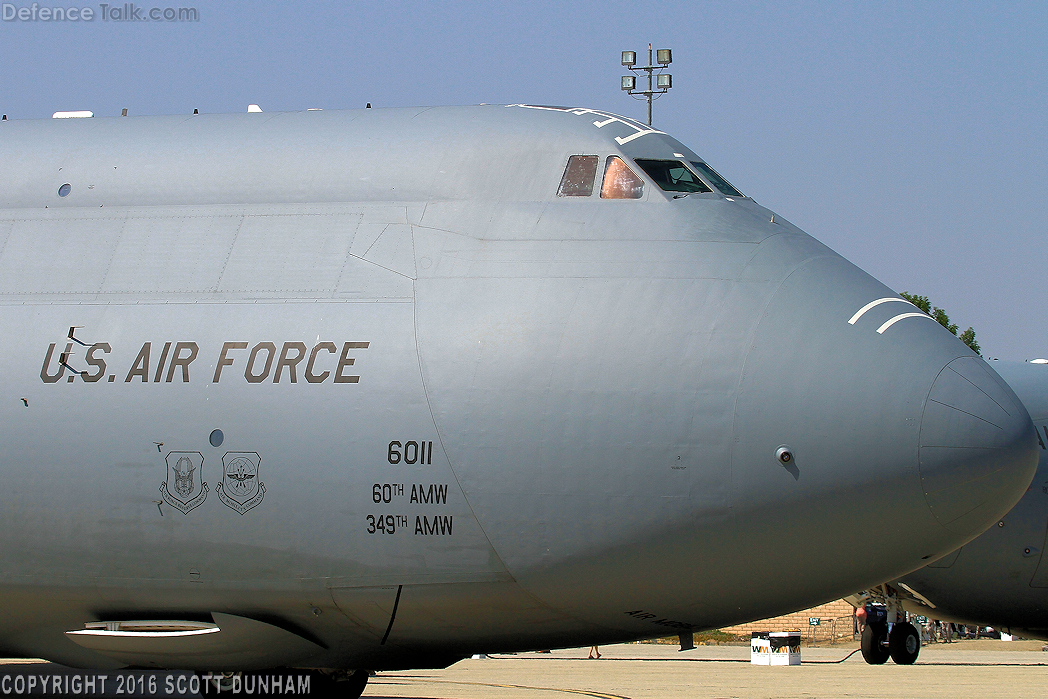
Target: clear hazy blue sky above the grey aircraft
911 137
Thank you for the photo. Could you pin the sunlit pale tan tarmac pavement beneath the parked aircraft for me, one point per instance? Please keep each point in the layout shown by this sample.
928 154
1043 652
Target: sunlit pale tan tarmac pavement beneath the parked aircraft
984 668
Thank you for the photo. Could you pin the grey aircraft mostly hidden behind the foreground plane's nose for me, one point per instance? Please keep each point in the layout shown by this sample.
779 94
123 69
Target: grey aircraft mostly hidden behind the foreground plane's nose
1000 579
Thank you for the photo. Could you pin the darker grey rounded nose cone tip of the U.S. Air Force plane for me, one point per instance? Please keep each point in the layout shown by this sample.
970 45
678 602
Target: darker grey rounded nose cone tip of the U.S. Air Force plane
973 434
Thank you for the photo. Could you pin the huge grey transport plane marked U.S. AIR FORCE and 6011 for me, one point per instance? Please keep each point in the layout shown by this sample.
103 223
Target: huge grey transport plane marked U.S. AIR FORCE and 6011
384 388
